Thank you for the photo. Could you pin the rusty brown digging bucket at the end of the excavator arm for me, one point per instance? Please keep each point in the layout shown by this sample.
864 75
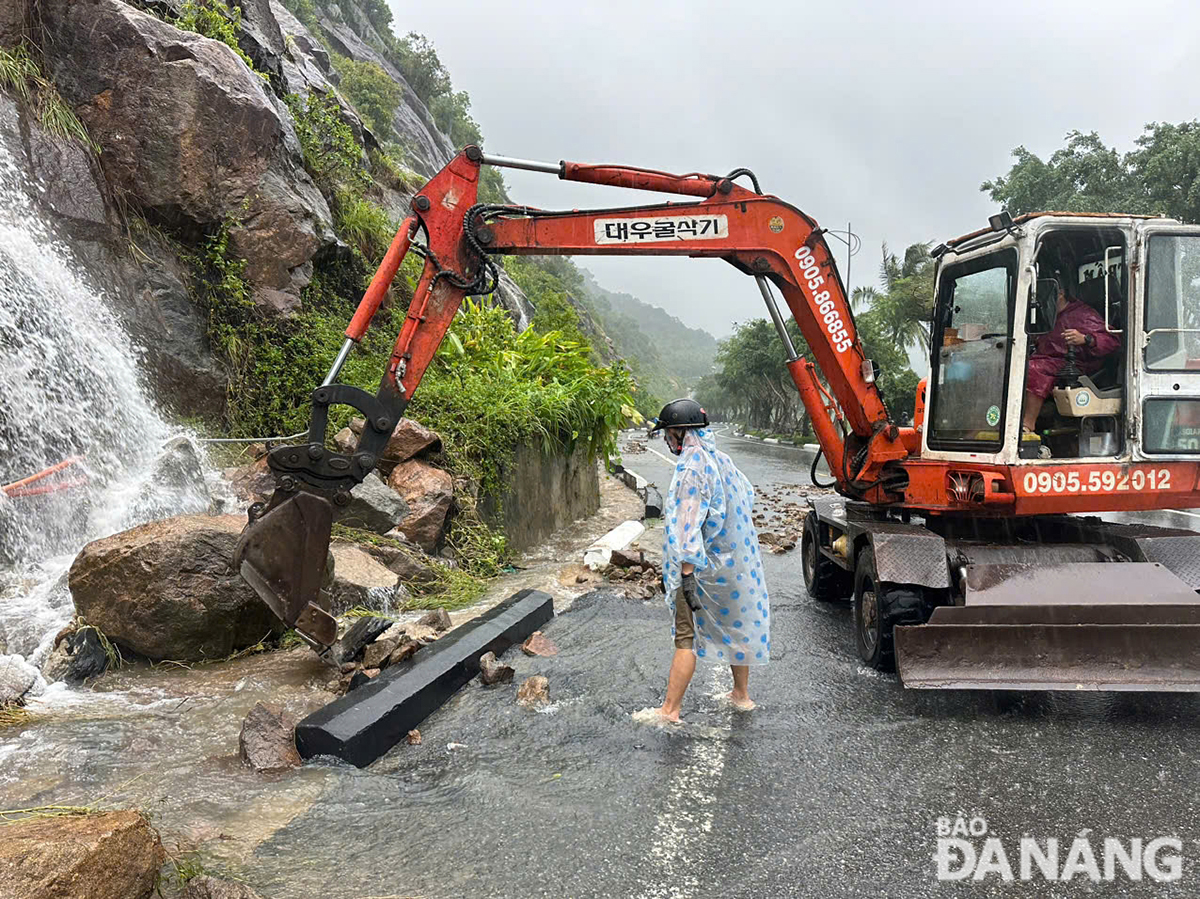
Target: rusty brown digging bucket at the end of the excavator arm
283 555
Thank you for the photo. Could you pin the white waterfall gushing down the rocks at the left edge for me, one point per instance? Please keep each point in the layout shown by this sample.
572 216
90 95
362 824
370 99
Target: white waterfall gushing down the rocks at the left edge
69 387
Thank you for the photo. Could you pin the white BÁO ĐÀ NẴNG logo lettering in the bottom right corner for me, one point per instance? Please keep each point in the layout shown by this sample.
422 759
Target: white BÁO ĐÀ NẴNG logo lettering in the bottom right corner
969 852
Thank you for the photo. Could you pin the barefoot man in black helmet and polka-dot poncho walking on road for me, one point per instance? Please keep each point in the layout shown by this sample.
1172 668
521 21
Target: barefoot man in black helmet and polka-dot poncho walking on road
712 567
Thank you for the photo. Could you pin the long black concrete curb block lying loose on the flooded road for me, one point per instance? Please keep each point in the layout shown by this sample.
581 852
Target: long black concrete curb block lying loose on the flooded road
367 723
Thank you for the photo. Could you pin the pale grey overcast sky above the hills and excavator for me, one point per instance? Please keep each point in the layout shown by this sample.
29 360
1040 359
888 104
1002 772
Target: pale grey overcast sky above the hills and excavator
884 115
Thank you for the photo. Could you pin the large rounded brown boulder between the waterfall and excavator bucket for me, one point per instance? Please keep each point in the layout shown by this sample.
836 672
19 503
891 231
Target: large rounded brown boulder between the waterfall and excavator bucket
169 590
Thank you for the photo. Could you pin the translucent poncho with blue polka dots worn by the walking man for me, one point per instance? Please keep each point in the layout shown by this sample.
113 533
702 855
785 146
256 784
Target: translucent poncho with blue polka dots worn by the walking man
709 524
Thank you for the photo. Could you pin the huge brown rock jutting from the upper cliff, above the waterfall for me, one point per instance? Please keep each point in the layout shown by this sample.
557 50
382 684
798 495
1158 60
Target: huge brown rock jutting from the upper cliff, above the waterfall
193 136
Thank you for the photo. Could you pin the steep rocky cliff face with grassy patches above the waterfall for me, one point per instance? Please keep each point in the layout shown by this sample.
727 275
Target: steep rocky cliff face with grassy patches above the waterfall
209 175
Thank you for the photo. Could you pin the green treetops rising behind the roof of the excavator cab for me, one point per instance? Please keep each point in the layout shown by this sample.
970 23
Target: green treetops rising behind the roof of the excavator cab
1161 176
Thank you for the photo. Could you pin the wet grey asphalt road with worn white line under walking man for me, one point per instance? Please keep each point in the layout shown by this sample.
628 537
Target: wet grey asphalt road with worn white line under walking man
833 788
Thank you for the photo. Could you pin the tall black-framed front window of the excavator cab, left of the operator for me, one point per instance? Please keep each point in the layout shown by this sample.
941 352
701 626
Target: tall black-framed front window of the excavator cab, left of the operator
971 352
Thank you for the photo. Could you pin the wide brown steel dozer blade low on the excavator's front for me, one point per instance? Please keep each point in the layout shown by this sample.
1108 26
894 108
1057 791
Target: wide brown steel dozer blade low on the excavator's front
1072 627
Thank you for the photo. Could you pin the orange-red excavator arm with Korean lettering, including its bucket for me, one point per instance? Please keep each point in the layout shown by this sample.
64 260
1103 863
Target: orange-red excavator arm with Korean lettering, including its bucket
284 549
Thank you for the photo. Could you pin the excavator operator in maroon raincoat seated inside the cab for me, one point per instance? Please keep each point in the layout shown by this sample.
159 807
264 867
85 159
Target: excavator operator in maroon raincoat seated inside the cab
1078 326
